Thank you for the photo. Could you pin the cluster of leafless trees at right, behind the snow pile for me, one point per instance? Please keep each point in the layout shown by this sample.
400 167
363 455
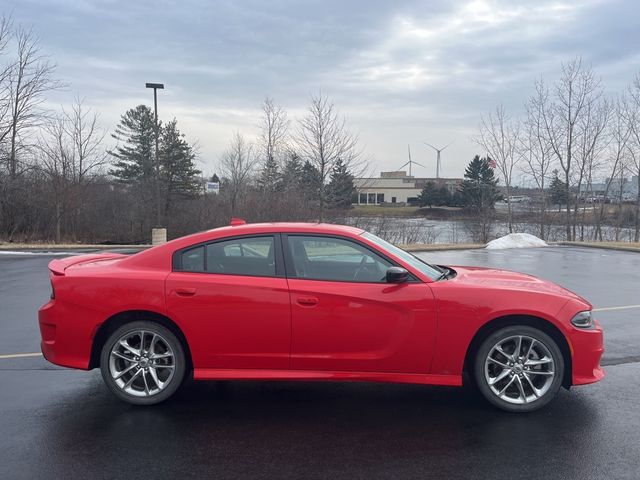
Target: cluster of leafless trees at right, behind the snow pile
569 137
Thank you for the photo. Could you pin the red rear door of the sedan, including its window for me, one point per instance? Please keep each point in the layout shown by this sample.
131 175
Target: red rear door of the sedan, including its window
231 299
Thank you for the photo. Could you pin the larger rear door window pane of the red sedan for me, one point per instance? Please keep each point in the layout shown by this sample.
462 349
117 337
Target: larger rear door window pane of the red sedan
242 256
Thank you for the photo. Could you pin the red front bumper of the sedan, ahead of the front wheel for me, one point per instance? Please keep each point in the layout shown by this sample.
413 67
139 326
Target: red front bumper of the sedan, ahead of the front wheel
587 347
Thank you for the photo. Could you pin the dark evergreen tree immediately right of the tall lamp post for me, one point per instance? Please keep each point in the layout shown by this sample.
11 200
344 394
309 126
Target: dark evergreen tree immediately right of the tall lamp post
178 173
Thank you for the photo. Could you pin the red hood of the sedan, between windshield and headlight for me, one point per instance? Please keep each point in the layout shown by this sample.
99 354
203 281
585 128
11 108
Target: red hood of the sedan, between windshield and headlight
508 280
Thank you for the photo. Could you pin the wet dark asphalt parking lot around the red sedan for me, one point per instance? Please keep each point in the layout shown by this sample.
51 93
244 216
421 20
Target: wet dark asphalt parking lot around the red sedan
63 423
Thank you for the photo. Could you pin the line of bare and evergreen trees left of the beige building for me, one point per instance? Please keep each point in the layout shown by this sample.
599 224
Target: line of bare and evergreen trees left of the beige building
64 178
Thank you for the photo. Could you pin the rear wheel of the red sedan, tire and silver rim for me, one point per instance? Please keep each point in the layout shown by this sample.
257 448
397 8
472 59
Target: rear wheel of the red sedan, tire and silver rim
143 363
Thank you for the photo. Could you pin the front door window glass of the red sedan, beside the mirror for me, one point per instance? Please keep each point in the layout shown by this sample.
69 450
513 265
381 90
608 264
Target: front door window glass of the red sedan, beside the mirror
326 258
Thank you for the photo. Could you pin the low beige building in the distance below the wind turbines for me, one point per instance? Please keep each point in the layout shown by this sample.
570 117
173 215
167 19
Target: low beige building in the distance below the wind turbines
396 187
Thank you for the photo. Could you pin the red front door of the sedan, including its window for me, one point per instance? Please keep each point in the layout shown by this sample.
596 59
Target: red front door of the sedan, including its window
345 317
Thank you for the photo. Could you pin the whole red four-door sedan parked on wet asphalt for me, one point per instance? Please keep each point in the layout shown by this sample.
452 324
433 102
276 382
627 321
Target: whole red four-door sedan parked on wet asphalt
302 301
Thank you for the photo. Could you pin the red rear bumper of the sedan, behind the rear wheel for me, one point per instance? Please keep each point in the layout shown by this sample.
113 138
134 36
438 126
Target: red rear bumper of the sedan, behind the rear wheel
64 342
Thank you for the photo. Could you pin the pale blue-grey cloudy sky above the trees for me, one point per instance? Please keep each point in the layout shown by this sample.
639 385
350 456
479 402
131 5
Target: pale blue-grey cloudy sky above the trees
401 72
